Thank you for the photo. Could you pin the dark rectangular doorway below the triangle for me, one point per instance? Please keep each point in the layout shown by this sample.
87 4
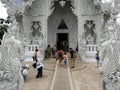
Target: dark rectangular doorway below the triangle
62 41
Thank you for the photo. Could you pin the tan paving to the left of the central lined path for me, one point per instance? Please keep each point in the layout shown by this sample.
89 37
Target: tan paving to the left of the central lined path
43 83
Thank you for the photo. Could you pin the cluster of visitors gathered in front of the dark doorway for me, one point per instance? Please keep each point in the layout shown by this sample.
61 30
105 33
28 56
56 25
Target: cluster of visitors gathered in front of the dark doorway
61 55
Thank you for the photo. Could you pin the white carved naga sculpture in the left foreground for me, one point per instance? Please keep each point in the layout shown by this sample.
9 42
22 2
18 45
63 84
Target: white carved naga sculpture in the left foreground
11 56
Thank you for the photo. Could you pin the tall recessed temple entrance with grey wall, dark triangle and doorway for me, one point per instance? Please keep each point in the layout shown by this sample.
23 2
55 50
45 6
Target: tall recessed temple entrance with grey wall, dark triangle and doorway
62 26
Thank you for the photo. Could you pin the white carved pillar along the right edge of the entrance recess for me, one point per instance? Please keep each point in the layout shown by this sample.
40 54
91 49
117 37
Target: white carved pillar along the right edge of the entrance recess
77 12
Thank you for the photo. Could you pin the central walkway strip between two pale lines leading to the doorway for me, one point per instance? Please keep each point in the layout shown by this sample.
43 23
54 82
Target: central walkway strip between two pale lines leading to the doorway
62 78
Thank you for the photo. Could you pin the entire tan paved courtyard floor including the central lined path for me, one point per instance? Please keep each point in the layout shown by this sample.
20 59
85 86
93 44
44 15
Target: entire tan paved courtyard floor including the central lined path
85 76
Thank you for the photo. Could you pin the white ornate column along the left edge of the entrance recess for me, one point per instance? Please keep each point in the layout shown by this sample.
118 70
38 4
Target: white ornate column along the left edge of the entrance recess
44 26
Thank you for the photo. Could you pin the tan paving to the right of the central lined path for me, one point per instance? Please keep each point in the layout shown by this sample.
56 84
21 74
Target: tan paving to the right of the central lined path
87 78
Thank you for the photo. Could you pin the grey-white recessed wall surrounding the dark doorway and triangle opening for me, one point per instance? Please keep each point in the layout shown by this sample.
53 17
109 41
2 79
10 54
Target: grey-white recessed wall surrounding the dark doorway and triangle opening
71 22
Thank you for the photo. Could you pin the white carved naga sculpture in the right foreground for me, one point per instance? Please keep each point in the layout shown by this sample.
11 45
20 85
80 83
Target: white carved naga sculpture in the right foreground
110 57
